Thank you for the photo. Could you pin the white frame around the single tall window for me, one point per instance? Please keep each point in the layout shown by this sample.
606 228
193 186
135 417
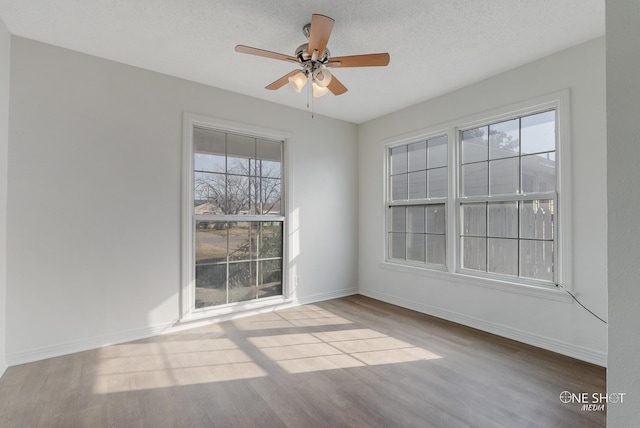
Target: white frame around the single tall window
188 311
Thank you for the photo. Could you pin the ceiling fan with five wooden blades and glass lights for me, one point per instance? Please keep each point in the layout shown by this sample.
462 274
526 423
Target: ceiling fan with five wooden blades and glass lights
315 60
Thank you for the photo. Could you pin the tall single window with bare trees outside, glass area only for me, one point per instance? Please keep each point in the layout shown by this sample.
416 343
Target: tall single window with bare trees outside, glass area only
237 220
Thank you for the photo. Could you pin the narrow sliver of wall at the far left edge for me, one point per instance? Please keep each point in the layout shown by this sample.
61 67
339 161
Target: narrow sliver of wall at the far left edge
5 54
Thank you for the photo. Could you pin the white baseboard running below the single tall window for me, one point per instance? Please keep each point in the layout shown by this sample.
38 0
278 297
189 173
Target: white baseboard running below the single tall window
42 353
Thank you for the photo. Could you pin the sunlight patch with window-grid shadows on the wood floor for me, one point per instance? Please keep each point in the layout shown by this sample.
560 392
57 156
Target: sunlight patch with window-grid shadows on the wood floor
251 350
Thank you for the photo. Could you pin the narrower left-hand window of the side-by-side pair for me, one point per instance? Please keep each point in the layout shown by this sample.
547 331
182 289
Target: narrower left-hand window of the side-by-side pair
417 202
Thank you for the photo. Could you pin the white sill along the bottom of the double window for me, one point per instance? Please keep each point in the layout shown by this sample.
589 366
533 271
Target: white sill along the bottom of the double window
551 293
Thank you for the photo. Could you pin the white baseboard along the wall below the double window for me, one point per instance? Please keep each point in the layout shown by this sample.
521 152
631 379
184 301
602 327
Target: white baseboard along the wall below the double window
589 355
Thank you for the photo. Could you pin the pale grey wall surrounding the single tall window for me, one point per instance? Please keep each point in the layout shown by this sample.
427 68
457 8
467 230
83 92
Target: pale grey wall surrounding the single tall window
94 197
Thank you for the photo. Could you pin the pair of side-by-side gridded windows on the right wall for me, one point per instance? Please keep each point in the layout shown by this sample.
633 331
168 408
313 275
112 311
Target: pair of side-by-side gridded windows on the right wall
493 213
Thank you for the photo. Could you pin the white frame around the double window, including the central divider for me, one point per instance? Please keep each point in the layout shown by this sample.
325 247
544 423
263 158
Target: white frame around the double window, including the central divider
558 101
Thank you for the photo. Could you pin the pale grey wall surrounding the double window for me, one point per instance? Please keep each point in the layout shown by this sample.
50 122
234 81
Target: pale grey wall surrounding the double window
558 325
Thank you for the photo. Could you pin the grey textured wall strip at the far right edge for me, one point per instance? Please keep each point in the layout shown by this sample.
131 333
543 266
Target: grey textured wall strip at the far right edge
623 158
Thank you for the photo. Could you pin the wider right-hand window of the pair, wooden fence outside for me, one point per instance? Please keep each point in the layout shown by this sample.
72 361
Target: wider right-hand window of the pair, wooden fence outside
508 197
